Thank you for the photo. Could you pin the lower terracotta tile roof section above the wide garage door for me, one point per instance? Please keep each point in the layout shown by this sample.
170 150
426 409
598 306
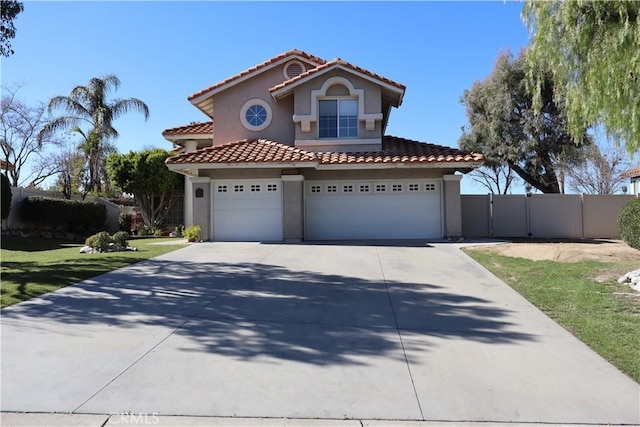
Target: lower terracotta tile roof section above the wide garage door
400 150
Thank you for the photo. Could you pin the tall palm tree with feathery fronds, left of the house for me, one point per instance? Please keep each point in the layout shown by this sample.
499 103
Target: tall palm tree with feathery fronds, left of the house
89 106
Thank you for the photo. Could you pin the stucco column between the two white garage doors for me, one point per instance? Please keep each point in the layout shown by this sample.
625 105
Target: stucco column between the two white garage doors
292 208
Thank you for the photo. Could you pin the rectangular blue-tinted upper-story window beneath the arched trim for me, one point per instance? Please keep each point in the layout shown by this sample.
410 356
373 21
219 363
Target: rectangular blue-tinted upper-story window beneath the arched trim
338 118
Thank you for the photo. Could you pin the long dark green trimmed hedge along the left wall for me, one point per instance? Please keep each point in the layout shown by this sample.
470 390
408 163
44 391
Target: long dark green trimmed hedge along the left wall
67 215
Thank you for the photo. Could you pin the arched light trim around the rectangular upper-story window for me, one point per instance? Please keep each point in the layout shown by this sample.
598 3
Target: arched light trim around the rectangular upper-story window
305 120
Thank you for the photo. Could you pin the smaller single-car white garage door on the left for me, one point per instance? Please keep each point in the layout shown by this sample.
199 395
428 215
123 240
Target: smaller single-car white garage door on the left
247 210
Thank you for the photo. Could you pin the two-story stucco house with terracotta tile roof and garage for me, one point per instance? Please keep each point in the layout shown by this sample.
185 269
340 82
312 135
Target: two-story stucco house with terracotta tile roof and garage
295 149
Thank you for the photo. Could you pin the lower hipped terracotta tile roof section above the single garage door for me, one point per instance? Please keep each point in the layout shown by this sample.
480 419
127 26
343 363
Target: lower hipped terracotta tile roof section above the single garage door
245 151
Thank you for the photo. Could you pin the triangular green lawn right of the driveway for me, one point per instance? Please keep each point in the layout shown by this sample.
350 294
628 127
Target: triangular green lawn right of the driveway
601 313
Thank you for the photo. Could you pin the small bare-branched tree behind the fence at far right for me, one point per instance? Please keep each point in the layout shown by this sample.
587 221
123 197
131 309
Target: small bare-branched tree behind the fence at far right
602 172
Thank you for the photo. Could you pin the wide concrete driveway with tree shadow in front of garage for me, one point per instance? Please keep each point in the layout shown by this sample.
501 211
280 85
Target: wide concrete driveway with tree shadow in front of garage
412 331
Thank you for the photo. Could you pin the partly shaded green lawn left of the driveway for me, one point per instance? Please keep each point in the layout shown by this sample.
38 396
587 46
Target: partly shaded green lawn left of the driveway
32 267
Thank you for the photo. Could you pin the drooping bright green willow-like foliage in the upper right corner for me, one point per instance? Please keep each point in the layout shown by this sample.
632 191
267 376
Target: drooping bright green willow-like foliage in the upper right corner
592 48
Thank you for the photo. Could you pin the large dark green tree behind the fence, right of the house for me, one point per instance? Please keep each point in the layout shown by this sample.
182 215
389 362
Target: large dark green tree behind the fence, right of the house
504 126
